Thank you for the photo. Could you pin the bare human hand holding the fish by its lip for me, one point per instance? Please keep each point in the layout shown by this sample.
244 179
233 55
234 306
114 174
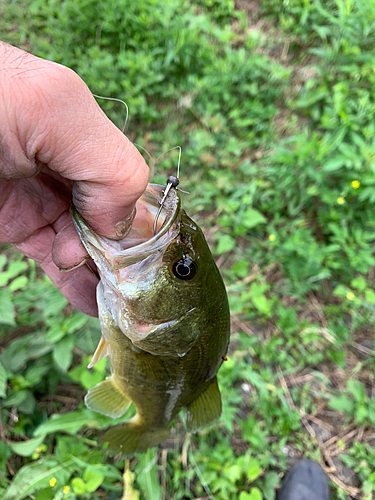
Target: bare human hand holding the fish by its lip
57 146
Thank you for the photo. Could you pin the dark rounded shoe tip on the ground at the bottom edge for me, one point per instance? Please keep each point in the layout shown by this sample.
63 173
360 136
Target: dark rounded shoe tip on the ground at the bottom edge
305 481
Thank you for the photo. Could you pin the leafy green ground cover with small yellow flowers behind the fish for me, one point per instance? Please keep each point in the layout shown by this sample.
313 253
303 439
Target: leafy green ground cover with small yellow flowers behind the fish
274 109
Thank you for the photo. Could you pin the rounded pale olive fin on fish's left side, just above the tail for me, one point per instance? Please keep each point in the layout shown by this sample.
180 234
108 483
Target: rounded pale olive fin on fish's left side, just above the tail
108 399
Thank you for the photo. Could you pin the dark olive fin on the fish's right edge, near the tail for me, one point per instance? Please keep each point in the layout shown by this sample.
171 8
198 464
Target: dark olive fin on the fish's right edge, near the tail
205 409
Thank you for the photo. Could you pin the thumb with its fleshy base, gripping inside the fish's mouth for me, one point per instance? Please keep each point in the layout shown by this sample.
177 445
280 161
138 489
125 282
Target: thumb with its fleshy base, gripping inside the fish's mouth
64 128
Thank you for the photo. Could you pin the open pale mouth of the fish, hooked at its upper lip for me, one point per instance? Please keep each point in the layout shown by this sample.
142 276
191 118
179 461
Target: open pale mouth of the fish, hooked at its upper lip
140 242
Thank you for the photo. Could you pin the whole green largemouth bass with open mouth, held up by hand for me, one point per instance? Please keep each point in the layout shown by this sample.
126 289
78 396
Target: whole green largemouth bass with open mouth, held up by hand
165 323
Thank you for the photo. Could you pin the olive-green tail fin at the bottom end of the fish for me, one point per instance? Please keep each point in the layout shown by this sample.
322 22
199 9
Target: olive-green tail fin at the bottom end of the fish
132 437
